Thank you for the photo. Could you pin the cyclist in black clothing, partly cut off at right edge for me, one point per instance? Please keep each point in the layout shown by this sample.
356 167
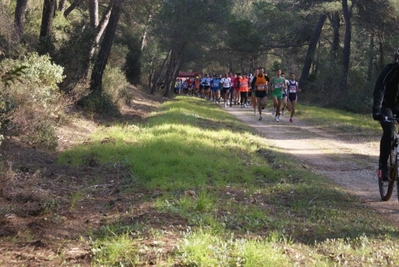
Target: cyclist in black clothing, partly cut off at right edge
386 104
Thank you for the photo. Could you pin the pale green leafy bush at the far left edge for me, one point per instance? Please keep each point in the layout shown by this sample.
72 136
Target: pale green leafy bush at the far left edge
29 97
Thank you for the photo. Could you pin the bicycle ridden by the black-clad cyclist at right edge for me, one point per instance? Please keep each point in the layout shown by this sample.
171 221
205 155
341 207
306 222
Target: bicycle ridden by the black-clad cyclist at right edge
386 187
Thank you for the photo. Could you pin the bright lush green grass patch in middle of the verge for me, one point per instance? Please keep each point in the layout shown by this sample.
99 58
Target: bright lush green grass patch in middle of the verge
175 153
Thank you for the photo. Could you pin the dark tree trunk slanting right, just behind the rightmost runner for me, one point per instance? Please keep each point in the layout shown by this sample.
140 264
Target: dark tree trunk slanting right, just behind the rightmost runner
311 50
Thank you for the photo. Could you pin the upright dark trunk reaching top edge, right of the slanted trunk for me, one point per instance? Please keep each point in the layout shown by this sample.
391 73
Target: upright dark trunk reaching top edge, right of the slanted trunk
347 12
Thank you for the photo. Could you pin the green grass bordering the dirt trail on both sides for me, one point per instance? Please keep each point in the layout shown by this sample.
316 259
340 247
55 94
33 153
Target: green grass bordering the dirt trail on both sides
213 194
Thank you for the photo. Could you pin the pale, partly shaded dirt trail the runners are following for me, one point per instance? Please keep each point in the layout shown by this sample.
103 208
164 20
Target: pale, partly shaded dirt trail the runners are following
349 162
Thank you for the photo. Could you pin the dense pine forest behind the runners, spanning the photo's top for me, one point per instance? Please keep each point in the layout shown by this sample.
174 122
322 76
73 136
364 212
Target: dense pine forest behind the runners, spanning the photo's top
334 46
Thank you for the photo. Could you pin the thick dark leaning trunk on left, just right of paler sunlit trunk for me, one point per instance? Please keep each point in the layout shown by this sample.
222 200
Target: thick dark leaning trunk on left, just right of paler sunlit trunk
105 49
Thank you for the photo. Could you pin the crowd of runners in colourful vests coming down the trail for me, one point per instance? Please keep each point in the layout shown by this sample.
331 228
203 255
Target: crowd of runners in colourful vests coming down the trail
248 90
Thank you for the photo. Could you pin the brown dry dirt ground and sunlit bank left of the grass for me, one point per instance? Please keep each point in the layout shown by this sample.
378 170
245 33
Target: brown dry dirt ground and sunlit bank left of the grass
46 209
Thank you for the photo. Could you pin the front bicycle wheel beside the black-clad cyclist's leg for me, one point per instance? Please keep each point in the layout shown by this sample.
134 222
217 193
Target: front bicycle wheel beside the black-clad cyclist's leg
386 187
